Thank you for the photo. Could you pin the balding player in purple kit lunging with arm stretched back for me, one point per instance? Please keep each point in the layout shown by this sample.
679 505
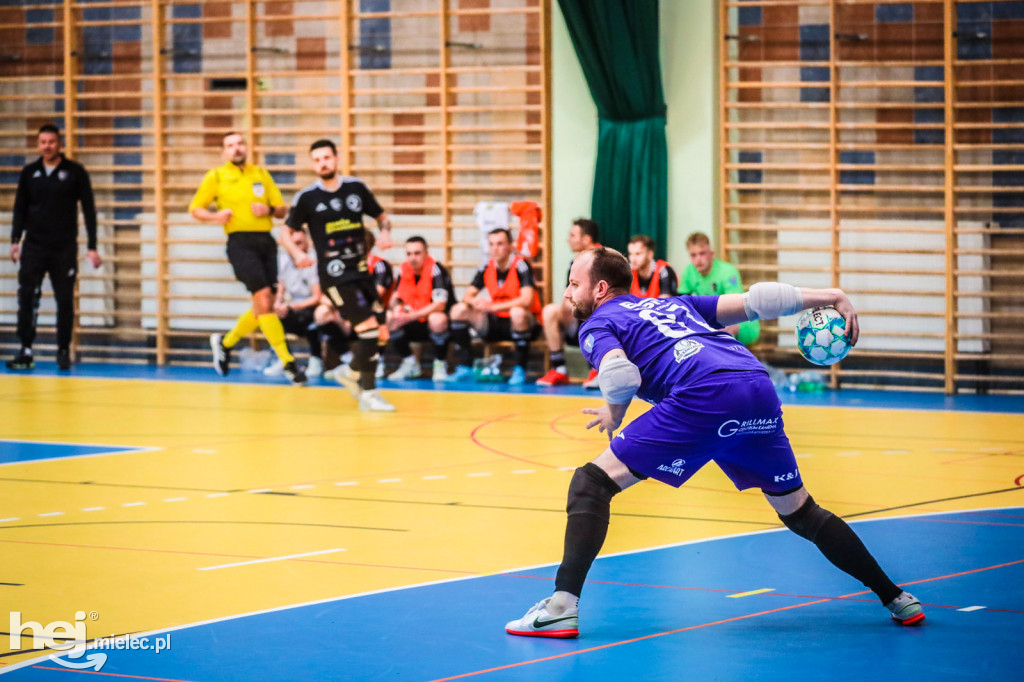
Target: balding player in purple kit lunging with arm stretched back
713 401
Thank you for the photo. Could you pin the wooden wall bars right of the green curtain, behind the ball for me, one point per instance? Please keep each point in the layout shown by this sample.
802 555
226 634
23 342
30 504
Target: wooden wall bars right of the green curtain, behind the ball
880 147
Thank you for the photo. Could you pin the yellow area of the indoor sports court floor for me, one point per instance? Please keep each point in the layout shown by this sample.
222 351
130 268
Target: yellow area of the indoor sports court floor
240 498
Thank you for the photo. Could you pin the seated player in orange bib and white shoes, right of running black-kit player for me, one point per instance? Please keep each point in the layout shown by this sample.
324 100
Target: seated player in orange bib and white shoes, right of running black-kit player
423 297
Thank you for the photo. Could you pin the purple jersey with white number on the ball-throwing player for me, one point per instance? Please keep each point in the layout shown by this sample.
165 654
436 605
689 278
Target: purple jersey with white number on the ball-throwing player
674 342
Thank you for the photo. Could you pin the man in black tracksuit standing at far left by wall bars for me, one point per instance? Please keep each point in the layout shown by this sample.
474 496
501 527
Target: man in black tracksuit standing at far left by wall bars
47 212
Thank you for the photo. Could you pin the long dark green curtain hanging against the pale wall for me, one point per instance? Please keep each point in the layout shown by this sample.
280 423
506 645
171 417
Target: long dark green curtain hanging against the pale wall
617 42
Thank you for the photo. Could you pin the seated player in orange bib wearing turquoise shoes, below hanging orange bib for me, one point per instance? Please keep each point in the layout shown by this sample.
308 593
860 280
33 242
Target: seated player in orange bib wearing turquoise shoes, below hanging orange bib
509 314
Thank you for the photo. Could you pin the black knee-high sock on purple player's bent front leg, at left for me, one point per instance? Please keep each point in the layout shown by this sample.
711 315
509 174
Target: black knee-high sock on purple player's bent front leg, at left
589 510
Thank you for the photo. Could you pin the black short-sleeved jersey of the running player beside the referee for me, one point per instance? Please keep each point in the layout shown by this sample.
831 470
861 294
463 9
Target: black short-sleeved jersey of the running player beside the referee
335 224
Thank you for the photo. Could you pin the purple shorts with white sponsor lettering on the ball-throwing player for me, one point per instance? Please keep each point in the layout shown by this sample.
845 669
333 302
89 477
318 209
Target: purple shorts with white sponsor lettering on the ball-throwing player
734 418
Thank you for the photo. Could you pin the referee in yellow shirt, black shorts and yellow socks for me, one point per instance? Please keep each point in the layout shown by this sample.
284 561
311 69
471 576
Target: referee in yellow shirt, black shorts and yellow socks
247 200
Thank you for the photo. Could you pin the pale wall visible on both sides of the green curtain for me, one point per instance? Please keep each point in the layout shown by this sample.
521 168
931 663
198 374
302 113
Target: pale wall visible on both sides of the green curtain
690 74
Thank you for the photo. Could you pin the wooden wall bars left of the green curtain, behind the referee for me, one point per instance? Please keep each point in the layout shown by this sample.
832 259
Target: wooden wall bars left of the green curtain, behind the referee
438 105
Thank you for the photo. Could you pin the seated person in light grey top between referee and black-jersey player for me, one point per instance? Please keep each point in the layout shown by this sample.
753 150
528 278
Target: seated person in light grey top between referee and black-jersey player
297 299
